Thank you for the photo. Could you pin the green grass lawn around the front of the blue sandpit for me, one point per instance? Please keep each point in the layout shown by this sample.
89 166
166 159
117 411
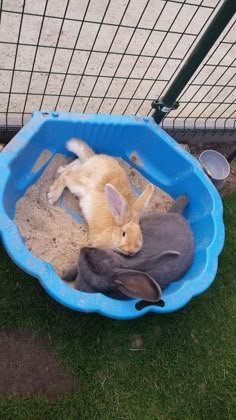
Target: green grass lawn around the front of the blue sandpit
187 370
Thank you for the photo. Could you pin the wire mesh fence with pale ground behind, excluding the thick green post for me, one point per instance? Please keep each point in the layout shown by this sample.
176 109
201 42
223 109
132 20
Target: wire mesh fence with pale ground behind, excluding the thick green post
113 56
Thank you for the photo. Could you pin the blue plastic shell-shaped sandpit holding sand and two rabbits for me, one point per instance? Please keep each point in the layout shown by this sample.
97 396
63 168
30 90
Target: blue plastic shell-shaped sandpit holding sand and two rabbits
164 163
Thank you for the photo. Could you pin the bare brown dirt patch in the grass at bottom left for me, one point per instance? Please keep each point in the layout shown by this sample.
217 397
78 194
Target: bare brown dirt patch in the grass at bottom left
28 366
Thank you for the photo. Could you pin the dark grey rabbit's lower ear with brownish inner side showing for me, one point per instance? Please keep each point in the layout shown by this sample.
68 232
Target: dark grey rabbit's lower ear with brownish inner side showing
136 284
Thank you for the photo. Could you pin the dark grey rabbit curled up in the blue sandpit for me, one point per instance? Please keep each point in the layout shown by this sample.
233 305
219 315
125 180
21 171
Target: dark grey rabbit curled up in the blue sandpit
167 253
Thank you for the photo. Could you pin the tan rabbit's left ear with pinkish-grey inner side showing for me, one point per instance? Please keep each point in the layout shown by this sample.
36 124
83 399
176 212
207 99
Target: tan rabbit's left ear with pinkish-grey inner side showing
116 203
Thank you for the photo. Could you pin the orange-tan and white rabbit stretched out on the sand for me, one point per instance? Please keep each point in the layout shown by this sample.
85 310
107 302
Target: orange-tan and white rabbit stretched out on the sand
107 202
